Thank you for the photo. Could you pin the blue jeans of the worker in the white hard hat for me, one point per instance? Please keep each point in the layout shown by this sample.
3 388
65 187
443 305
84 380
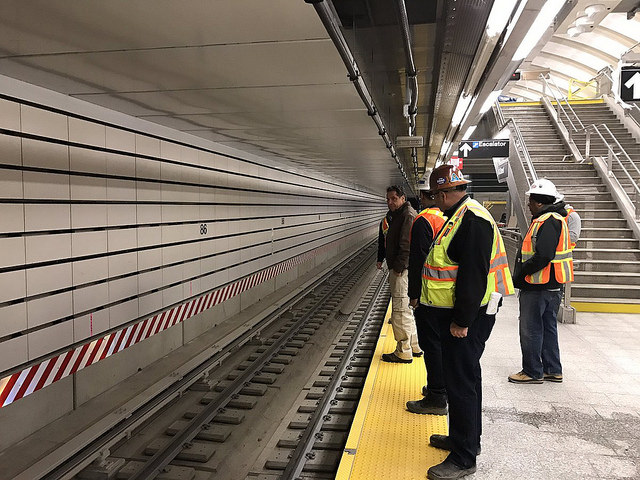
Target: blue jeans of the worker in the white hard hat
539 332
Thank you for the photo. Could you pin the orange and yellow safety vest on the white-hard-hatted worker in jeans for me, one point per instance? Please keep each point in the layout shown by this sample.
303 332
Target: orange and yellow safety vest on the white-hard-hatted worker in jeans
563 259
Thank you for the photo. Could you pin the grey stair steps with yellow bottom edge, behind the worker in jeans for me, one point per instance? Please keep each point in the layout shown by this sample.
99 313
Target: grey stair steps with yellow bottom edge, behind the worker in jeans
607 256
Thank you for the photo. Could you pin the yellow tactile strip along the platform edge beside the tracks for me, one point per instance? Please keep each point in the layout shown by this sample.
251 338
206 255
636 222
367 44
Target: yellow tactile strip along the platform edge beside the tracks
386 441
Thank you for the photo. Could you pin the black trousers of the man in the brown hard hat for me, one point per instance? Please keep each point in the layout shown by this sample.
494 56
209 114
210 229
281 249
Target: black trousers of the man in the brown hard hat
463 380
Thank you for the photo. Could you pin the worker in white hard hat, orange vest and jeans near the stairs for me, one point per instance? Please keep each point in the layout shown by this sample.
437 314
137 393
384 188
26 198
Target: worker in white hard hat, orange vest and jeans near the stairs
543 265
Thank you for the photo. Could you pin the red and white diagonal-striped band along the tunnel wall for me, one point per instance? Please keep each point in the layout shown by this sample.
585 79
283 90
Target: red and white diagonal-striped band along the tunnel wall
35 377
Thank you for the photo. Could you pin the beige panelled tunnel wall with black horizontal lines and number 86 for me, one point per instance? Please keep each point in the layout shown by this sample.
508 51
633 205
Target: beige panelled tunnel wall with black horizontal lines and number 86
121 240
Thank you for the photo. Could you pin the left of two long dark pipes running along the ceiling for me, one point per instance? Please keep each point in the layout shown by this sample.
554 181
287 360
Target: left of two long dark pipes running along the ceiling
327 18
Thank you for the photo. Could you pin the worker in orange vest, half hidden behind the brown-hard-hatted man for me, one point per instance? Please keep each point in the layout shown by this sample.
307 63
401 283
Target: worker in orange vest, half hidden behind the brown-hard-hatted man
425 227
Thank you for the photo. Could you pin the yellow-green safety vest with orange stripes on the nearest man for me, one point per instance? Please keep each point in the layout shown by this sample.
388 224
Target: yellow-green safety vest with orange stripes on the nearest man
440 272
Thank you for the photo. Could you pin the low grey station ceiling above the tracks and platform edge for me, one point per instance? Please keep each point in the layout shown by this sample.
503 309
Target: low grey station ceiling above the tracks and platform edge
265 77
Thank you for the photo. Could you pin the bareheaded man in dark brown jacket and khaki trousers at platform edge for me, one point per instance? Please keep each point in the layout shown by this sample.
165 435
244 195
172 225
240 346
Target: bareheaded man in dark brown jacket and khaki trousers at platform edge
397 255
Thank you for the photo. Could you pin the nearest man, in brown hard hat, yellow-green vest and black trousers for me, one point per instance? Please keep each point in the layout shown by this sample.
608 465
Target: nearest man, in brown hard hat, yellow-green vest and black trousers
464 277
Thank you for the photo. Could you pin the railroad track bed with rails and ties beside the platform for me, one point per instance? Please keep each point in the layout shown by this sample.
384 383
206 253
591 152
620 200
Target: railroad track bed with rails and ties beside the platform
215 423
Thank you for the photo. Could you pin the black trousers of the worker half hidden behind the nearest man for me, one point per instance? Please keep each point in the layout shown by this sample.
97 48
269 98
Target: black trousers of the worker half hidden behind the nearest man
429 341
